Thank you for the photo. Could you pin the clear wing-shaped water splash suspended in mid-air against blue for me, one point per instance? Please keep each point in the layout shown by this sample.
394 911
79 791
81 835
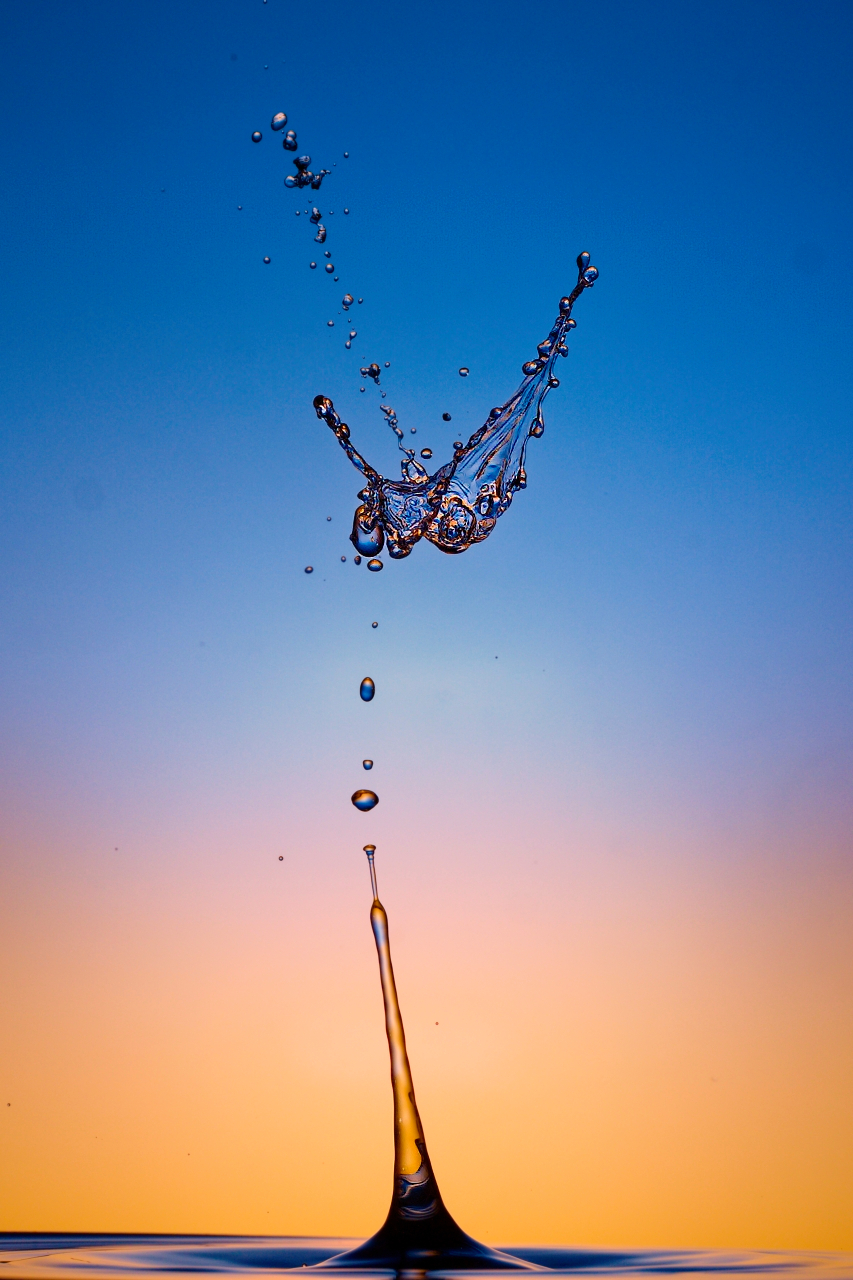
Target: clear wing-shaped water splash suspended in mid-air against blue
460 504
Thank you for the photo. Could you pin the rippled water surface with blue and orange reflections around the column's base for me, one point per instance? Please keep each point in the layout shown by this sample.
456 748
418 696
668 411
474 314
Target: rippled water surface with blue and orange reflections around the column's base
63 1258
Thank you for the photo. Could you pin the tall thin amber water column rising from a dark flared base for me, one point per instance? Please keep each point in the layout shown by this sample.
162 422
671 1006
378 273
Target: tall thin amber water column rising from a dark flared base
418 1235
